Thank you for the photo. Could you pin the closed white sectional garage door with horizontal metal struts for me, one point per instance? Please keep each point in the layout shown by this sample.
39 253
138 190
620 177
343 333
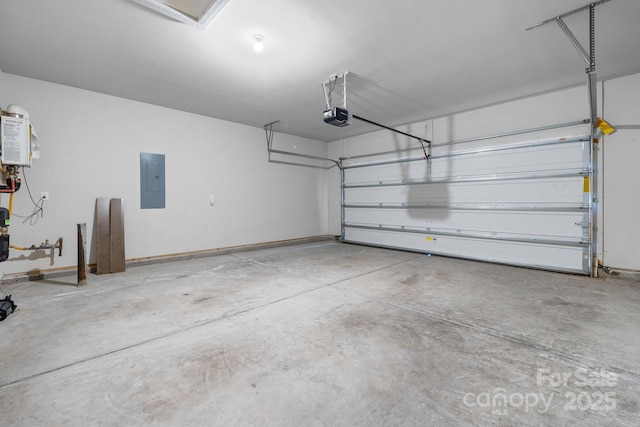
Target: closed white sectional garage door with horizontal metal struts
520 199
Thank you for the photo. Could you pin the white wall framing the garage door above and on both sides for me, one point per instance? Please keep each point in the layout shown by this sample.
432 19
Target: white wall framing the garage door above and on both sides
620 194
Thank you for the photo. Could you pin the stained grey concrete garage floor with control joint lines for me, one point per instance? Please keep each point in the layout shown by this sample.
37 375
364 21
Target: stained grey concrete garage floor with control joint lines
322 334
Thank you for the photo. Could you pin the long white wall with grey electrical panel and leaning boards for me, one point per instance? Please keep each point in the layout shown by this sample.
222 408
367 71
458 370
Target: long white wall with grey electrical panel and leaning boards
90 147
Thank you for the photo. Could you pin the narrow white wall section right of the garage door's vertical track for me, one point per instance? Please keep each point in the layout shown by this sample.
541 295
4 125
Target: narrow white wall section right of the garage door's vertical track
620 153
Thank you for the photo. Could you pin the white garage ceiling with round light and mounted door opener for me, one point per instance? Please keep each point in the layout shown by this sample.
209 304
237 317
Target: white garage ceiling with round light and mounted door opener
409 59
